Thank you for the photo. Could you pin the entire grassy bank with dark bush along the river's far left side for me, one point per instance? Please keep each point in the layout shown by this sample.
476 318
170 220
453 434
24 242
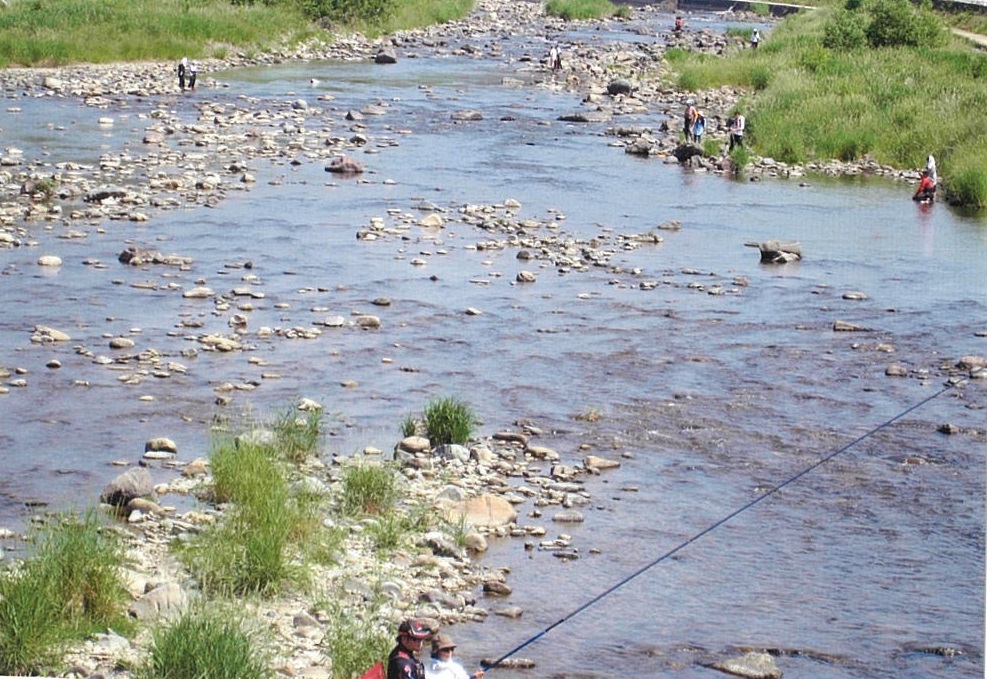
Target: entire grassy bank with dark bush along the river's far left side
60 32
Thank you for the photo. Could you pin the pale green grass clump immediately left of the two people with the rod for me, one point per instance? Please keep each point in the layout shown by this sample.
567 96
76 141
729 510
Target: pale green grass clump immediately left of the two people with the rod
353 643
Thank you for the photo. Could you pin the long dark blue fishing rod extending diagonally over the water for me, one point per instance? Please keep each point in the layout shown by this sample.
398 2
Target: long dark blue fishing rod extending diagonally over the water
713 526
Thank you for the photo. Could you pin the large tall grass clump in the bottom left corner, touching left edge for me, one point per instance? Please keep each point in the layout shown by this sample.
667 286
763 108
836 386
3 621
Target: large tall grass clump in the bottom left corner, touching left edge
70 588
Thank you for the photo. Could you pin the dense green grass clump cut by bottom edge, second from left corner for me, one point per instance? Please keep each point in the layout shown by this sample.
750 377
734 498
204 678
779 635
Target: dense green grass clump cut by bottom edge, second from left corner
214 643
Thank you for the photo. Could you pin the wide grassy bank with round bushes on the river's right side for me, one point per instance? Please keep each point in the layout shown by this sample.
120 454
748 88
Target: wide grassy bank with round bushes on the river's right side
819 89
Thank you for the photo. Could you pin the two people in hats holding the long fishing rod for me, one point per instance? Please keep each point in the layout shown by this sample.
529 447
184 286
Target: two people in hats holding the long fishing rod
404 663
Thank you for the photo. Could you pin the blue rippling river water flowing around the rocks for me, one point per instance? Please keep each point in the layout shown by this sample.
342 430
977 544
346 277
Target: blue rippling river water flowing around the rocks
869 566
